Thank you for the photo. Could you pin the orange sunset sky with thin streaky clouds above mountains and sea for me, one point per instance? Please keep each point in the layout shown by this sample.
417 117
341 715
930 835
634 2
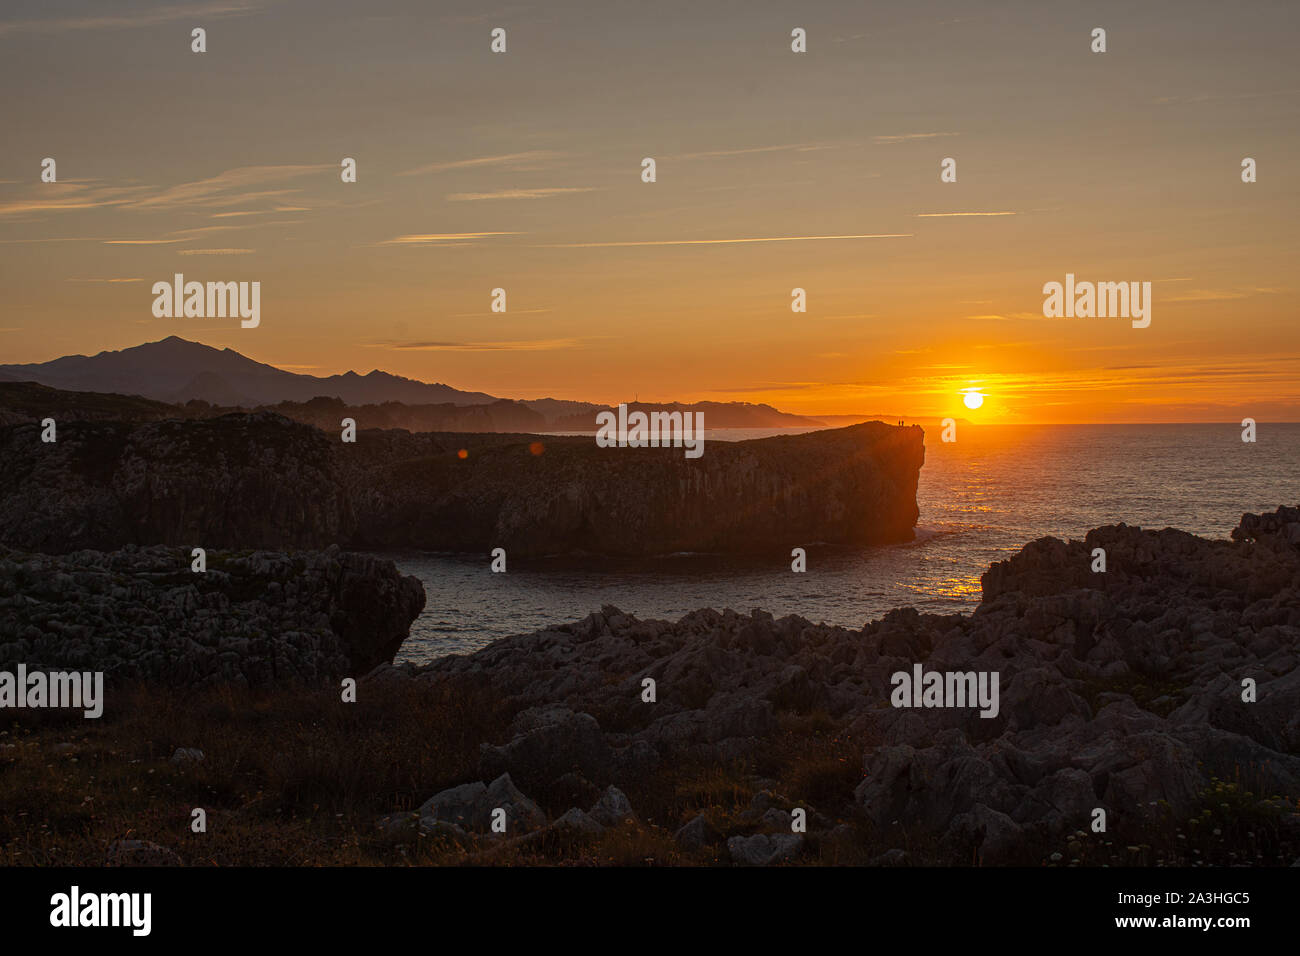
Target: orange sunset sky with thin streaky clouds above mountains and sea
522 171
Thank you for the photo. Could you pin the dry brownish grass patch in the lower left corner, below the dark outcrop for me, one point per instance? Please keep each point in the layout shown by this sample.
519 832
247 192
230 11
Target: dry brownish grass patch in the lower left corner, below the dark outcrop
293 778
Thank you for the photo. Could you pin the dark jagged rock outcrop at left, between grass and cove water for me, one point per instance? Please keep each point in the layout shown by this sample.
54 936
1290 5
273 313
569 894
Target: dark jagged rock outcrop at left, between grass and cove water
254 618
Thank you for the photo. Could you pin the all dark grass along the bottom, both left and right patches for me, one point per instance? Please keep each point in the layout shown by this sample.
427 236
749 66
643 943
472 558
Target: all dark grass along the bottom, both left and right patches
300 778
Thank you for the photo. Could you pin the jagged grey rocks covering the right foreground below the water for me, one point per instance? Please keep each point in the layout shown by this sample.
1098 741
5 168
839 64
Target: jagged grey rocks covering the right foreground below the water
1120 691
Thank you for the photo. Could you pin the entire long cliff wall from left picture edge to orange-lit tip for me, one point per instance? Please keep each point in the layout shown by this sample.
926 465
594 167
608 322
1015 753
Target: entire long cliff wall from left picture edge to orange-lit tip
263 482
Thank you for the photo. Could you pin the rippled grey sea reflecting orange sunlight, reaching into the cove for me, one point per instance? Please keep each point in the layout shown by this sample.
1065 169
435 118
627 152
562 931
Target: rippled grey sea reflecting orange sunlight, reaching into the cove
981 500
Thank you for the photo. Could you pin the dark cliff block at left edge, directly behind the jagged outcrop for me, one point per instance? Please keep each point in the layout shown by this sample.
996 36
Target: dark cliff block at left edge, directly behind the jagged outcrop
236 482
